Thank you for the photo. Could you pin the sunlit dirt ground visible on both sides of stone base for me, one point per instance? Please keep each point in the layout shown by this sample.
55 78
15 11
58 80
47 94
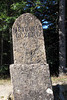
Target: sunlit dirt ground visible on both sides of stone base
6 86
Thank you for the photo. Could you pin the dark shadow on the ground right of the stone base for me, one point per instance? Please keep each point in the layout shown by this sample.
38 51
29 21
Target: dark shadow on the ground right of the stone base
60 92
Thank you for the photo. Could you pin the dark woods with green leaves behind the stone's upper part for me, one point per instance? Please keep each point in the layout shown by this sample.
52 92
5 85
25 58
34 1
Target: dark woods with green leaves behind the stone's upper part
44 10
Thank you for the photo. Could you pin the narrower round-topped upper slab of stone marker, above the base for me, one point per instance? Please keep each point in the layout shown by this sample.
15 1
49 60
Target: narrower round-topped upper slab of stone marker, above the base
28 40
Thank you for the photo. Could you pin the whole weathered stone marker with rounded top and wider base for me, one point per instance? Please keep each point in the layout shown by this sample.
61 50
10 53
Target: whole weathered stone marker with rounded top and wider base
30 72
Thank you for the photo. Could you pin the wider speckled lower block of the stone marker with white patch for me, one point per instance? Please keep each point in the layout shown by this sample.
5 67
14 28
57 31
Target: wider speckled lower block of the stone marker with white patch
31 82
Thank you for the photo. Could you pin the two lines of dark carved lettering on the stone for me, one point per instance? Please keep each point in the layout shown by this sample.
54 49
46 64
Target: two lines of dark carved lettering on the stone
31 31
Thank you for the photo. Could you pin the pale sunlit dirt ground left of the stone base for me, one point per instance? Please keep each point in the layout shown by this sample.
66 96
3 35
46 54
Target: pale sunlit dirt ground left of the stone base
5 89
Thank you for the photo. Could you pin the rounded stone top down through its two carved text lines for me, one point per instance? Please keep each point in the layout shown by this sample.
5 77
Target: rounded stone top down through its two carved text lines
27 25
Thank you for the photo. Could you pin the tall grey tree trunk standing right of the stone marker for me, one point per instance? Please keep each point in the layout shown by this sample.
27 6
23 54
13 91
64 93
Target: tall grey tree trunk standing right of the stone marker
62 40
